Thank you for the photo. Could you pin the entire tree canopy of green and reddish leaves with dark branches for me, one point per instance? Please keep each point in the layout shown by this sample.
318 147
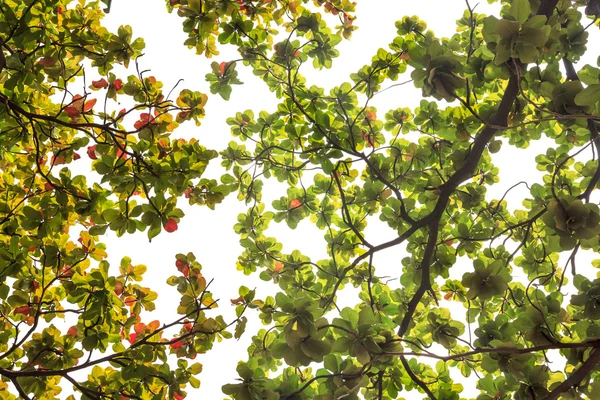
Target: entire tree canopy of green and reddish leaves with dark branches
488 294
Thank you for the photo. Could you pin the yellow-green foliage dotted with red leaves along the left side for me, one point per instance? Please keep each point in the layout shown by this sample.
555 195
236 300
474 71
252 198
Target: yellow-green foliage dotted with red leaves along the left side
62 77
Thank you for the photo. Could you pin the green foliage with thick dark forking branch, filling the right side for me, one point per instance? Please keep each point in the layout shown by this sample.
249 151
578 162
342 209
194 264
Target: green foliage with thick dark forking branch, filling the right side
495 86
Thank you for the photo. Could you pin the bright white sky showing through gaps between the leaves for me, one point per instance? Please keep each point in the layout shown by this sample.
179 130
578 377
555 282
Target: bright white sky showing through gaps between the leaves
209 234
